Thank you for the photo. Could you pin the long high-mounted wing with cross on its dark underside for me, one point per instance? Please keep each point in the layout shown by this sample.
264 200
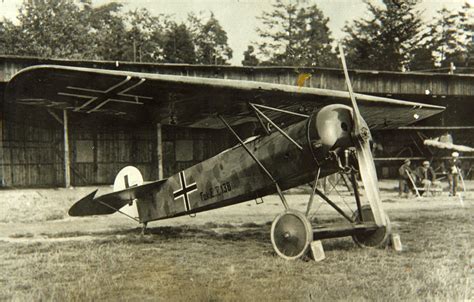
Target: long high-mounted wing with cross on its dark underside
190 101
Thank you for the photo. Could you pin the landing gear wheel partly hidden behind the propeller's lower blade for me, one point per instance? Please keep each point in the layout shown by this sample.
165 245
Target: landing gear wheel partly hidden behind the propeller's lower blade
377 238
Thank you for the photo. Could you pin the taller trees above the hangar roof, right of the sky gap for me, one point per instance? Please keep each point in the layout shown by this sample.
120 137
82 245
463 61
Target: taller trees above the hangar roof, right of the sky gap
394 38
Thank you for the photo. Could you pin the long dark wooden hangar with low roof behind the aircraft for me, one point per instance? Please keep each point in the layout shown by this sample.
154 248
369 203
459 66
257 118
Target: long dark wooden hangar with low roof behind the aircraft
57 148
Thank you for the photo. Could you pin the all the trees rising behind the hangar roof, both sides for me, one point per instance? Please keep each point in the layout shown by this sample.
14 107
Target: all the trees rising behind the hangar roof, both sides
293 33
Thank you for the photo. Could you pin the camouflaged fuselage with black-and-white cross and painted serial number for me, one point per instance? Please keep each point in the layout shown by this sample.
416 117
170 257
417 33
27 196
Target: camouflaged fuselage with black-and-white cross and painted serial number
233 176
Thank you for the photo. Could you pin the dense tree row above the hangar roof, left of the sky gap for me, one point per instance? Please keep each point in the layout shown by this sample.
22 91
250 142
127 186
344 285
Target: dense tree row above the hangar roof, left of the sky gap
77 30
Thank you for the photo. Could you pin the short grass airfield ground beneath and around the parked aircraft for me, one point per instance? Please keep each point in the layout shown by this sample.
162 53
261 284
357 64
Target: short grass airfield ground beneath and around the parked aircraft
226 254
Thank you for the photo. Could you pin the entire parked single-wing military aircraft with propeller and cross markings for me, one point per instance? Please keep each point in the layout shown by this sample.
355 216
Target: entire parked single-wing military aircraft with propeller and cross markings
307 133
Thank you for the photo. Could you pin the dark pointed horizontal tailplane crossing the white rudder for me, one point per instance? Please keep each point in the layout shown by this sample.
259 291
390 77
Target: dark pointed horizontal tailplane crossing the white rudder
112 202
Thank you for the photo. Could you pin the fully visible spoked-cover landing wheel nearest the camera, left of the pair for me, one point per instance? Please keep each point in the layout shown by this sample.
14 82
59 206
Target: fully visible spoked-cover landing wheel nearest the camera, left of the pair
291 234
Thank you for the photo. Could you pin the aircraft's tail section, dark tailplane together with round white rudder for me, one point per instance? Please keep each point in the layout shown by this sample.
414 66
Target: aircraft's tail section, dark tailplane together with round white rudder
128 187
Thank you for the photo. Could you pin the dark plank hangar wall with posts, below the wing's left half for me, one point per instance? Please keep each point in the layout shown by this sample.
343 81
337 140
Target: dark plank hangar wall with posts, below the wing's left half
33 155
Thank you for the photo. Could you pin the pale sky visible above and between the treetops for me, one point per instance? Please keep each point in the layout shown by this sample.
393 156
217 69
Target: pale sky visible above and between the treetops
239 17
